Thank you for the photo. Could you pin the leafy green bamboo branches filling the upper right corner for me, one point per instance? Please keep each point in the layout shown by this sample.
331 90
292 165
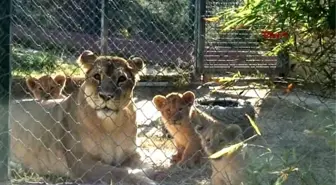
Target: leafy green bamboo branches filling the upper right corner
309 24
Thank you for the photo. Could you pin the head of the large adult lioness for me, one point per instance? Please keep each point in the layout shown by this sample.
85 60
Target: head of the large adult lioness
109 82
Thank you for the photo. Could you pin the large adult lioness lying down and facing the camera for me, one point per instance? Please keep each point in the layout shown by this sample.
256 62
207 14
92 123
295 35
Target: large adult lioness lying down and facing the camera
89 136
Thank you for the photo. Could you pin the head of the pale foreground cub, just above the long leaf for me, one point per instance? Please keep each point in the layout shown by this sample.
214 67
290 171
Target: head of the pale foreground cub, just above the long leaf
214 137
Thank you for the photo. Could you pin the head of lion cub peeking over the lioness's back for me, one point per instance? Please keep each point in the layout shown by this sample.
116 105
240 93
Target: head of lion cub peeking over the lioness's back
45 87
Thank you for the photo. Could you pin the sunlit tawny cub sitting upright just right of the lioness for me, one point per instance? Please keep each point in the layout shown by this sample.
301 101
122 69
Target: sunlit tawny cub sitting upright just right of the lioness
174 109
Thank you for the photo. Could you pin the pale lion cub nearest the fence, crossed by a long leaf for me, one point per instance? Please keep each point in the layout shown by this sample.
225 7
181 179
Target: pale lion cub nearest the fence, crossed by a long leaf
226 170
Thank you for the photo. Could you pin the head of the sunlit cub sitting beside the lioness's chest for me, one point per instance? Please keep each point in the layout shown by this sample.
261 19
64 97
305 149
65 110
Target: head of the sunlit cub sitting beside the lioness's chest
175 107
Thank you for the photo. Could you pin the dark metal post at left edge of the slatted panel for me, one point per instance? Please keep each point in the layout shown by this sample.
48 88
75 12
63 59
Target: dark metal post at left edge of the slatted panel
200 6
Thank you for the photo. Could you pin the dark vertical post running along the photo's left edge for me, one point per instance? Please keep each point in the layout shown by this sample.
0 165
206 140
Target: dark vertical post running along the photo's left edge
5 77
